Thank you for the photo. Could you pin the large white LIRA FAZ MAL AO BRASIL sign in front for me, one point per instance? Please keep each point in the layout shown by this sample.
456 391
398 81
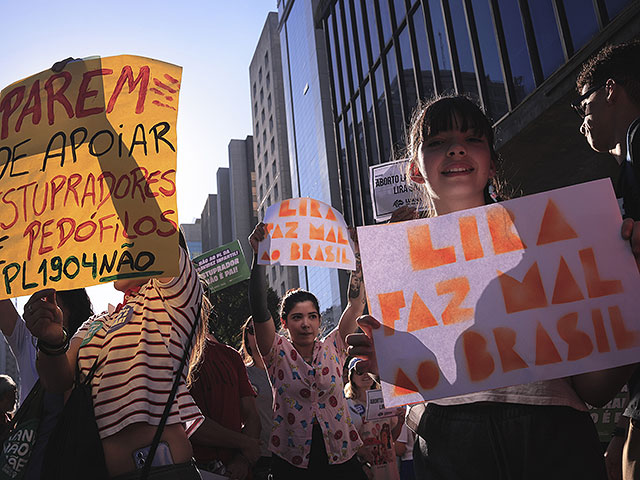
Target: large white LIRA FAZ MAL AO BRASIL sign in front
534 288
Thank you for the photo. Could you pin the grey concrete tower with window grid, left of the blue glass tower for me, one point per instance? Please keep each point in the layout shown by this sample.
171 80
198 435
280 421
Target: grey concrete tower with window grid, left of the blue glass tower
270 146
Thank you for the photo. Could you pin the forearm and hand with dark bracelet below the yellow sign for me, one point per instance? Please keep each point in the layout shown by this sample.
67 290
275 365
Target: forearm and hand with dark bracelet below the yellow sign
57 356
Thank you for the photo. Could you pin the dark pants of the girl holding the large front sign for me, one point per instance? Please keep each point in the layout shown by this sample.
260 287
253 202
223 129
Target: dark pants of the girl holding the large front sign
501 441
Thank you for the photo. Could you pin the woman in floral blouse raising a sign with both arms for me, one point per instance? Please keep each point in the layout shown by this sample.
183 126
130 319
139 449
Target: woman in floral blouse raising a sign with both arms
313 433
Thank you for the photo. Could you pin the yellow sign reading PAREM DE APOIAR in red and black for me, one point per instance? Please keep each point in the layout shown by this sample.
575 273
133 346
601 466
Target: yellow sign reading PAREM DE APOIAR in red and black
87 175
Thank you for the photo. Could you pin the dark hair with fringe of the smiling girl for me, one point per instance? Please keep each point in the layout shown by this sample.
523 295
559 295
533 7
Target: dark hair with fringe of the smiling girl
451 112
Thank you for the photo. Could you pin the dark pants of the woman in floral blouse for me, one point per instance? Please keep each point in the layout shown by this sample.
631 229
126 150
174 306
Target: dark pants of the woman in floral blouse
319 467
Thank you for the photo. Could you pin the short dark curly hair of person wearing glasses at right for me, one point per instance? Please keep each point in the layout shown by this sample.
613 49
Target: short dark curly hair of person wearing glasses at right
620 62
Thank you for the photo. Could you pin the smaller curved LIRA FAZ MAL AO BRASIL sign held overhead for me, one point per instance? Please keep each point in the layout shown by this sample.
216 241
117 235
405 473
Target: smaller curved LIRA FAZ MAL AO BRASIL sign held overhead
306 232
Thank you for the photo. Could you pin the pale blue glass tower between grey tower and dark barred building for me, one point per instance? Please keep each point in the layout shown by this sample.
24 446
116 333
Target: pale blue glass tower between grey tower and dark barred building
312 157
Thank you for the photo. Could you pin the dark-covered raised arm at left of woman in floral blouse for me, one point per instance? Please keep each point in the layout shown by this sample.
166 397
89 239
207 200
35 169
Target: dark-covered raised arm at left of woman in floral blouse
262 321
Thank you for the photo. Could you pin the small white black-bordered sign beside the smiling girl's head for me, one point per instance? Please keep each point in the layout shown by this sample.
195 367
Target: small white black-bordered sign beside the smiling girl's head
390 188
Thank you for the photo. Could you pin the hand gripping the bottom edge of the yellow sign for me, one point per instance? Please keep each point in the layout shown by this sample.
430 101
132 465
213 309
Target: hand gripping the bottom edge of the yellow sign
43 317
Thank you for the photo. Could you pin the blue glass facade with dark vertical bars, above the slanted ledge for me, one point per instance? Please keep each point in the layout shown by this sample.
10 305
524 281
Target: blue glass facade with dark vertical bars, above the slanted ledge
384 55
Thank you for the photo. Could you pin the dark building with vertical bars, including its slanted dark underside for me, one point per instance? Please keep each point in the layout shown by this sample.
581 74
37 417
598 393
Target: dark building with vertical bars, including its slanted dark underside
518 58
